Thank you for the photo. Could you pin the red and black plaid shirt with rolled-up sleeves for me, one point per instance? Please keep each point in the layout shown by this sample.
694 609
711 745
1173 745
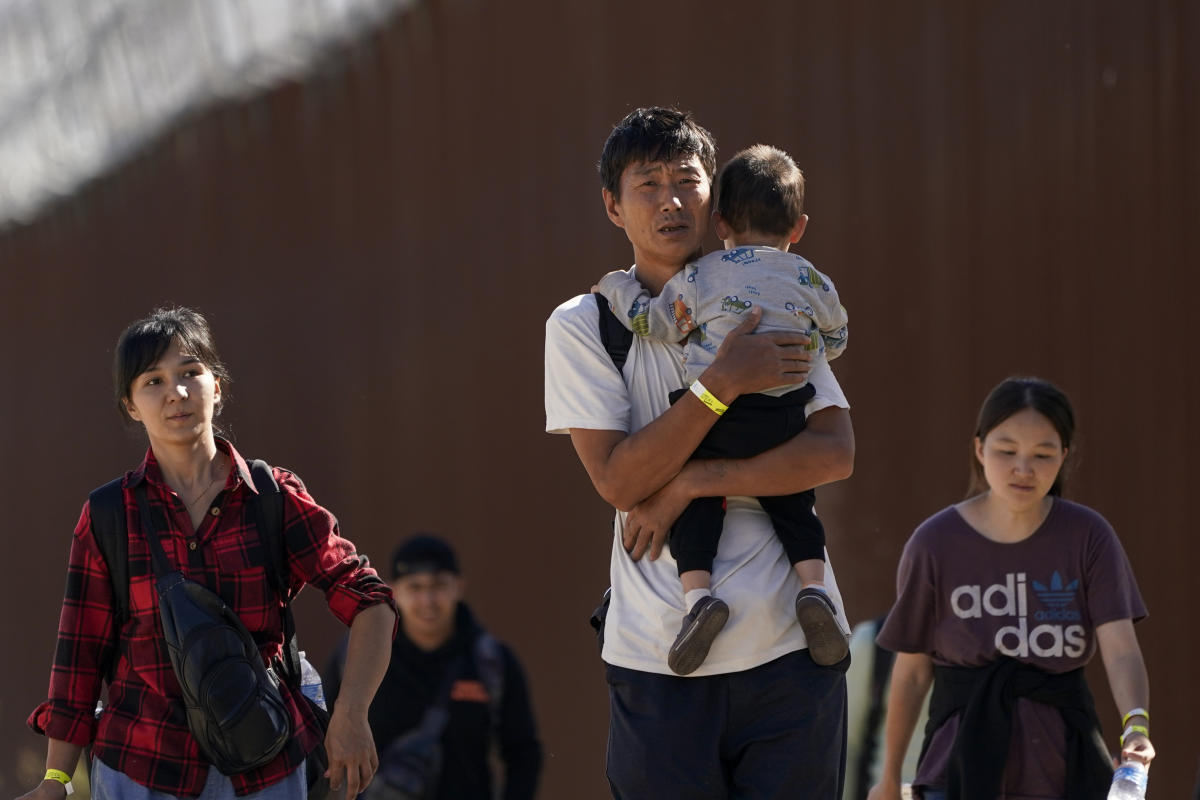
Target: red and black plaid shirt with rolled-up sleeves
143 731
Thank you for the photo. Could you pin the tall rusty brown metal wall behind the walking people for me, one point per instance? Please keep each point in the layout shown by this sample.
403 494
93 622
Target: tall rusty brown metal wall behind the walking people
997 189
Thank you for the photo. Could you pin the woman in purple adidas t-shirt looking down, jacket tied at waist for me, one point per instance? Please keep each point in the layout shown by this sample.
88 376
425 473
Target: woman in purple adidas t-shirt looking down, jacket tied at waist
1003 600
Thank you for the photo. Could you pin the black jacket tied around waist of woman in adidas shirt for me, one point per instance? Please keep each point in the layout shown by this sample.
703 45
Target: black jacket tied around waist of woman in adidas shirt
987 697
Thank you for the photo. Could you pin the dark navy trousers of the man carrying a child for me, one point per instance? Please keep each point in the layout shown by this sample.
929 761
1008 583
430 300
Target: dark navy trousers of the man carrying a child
770 733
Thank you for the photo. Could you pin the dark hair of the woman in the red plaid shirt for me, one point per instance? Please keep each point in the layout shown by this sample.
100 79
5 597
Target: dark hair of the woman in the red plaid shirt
145 341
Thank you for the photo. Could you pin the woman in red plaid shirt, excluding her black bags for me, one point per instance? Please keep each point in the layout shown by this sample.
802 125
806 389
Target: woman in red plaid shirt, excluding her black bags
169 377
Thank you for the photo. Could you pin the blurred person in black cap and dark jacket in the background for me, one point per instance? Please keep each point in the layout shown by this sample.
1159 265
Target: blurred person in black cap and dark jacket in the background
452 694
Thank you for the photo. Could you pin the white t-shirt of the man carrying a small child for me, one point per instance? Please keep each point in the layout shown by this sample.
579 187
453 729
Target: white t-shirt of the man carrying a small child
752 573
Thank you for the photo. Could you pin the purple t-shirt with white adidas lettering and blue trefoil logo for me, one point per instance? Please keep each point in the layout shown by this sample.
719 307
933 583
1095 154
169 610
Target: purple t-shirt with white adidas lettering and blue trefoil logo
965 600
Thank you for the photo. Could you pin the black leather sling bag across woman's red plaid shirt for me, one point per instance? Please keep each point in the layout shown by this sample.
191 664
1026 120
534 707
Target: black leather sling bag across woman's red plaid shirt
233 702
